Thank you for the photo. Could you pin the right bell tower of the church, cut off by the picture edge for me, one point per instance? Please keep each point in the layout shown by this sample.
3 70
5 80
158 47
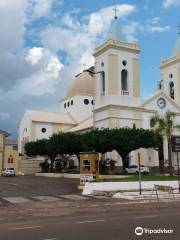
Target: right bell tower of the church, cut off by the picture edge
170 73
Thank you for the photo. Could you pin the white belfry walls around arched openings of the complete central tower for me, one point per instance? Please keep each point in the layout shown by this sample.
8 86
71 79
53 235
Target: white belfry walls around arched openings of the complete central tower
118 97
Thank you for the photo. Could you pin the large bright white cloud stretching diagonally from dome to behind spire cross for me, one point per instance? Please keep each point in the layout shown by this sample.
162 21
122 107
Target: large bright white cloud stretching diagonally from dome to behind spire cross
78 40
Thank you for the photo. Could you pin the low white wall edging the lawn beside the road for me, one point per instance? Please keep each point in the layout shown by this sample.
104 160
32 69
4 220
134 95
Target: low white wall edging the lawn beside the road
124 186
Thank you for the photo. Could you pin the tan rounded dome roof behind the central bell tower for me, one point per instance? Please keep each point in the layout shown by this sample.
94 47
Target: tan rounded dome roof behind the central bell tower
83 84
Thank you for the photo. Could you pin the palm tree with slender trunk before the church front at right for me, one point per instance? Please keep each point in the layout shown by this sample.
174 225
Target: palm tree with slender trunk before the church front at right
165 126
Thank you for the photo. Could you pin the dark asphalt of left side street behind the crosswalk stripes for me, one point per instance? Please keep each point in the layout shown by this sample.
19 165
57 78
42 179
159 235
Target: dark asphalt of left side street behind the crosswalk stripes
28 186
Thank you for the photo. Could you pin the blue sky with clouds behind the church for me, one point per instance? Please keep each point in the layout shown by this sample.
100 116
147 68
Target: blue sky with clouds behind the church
44 43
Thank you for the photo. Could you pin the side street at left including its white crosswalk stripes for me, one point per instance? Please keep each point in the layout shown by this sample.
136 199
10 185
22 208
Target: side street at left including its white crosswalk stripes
29 189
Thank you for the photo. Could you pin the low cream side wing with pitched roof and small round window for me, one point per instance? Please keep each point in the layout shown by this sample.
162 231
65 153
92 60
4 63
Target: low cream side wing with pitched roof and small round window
41 125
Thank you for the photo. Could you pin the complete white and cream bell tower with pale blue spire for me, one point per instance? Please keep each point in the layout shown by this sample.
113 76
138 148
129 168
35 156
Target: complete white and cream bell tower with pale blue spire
117 77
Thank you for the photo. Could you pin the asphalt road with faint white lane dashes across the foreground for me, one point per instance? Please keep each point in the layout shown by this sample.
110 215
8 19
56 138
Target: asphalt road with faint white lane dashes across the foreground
92 220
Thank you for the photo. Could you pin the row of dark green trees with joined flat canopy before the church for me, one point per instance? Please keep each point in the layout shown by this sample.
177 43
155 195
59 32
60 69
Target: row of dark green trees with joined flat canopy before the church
123 140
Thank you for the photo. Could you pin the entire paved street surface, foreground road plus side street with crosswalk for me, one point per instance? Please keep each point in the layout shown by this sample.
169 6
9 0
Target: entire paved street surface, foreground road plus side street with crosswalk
65 214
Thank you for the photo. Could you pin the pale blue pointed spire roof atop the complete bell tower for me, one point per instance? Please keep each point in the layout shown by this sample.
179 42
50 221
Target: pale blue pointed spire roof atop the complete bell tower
115 31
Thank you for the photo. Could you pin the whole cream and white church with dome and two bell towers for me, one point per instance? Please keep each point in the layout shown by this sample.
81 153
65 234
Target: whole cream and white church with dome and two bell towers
107 95
